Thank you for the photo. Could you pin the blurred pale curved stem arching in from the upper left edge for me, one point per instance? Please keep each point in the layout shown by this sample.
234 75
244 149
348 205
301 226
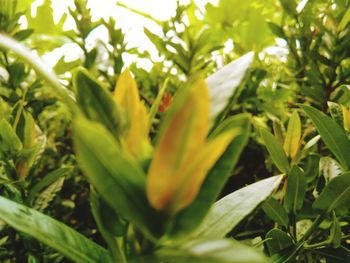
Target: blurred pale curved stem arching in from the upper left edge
40 68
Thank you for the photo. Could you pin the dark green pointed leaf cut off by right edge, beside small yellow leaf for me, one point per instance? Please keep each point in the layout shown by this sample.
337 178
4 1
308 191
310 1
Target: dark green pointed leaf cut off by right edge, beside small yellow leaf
332 135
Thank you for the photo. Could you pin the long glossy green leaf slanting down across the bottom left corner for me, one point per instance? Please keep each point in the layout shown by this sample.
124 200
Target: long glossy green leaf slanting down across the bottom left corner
52 233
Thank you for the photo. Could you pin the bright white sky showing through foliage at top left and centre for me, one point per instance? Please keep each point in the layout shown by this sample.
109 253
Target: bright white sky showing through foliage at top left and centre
131 23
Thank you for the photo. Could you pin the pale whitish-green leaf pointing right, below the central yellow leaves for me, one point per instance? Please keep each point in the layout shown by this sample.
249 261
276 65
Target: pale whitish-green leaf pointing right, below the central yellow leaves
229 211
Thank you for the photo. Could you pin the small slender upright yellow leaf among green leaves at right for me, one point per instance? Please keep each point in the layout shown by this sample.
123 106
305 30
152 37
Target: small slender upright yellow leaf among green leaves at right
291 143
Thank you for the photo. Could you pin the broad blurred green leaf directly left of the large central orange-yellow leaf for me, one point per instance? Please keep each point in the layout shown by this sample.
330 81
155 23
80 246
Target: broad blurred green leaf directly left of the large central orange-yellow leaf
119 181
